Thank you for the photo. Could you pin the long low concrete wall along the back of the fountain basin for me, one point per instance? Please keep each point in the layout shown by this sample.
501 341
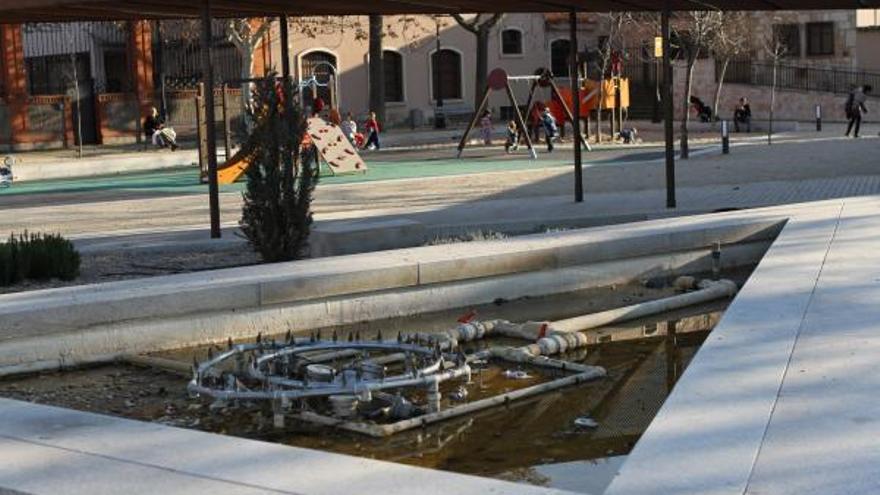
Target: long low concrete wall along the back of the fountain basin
70 324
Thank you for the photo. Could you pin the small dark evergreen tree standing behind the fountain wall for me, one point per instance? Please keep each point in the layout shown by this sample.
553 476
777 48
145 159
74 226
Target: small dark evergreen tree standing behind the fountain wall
276 216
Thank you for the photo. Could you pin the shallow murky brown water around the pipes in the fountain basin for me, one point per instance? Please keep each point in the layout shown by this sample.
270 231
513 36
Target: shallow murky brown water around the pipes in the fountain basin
542 439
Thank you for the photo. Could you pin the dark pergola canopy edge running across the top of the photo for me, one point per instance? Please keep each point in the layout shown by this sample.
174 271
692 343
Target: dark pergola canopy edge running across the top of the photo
78 10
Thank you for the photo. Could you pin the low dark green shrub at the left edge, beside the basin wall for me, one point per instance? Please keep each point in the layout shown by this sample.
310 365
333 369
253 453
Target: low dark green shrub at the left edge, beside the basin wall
37 257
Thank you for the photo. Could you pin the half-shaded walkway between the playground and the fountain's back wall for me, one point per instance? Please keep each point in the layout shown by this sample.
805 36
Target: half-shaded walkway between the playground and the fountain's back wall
524 201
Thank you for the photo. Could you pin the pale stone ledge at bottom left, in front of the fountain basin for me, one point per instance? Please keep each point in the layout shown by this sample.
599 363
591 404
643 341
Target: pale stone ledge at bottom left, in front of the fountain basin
48 450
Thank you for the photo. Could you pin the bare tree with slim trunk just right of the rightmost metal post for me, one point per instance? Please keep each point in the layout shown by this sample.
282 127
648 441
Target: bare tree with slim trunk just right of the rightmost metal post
693 31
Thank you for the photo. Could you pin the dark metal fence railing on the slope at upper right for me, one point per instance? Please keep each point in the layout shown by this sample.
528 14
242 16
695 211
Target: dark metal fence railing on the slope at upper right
800 78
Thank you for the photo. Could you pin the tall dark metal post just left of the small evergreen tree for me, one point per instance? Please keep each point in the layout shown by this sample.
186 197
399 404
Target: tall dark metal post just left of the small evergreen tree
210 131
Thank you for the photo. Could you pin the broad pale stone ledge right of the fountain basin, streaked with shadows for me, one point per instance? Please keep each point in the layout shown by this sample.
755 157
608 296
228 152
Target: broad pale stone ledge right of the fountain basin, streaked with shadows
782 396
